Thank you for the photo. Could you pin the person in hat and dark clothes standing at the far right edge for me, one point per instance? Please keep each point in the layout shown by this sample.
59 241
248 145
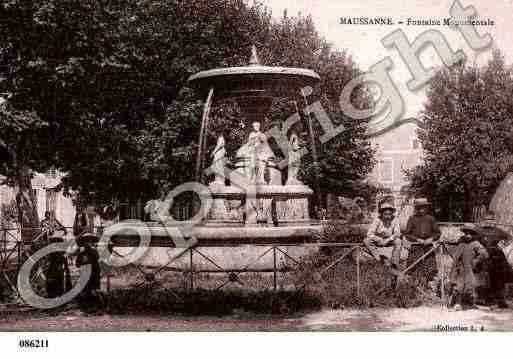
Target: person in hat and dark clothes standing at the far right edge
499 270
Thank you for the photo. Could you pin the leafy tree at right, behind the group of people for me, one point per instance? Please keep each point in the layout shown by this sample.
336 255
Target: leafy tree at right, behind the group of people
467 137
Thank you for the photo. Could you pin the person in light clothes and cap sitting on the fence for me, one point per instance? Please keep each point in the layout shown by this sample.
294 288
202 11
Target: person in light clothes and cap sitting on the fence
384 231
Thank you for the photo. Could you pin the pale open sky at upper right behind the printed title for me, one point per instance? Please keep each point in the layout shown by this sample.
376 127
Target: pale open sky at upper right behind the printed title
363 42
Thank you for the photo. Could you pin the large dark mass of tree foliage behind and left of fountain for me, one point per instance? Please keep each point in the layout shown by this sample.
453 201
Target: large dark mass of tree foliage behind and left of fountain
105 83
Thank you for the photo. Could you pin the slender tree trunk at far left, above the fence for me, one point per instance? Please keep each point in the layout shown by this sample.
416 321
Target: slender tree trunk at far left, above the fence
26 202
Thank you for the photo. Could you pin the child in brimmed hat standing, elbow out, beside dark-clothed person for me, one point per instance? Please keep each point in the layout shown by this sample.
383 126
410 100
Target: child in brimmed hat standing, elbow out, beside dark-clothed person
469 254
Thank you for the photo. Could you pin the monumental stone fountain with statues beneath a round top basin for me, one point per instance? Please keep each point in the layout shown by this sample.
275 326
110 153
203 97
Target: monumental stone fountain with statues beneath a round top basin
255 199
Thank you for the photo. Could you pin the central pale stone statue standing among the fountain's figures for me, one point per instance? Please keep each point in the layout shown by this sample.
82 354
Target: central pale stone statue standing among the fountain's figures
256 152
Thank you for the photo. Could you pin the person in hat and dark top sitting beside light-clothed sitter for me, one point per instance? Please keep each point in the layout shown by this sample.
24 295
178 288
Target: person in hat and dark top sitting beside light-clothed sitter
422 228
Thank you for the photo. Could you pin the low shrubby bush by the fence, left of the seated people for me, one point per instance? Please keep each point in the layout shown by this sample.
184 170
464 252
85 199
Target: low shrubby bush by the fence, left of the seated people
338 287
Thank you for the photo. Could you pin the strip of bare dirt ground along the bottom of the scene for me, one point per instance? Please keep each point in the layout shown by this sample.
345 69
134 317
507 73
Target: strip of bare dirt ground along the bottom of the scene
413 319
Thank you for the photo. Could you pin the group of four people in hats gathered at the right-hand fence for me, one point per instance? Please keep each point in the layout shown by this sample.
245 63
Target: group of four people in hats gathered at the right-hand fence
480 270
